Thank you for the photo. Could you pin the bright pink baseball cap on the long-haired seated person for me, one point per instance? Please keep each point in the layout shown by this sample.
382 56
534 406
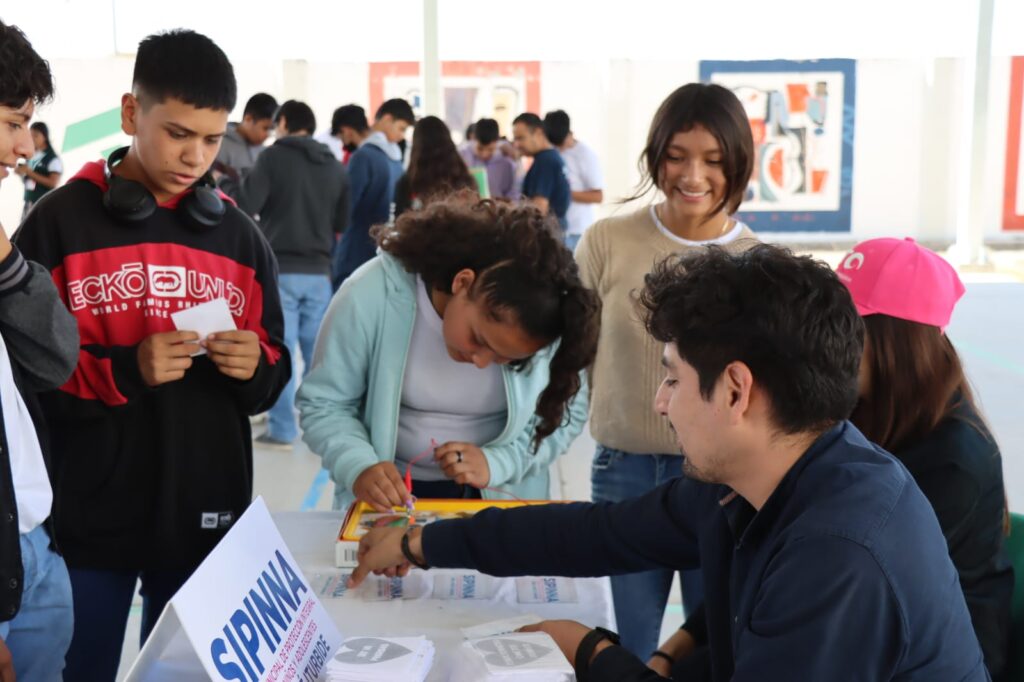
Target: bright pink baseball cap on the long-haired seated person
902 279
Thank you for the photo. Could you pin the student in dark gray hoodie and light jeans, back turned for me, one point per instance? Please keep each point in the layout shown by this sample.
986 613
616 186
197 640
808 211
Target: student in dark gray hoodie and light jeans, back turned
301 194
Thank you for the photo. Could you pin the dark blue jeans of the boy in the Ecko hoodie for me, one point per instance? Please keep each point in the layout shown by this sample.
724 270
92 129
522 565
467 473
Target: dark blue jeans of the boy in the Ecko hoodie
103 601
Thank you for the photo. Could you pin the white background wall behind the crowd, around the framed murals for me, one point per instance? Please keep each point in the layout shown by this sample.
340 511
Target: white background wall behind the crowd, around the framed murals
909 126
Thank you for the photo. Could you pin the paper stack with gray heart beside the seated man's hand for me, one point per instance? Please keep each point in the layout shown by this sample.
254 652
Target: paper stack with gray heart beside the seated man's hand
514 658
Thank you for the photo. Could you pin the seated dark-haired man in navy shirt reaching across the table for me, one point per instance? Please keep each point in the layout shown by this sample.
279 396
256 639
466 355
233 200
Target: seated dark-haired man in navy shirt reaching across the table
822 559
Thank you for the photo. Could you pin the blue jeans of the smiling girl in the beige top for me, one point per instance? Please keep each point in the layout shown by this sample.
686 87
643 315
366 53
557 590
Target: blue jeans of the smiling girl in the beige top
641 599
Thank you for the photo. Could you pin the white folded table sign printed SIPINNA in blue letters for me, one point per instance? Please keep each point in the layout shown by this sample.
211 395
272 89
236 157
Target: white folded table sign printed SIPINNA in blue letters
247 615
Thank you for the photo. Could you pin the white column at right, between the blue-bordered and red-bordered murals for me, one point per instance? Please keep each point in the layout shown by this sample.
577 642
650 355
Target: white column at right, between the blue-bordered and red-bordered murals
970 248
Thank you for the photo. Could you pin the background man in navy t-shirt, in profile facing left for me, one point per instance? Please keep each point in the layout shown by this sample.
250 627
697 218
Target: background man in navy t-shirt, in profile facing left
547 182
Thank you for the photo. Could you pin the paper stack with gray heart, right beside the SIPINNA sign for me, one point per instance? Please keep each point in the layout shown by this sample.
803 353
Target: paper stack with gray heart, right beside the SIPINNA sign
381 660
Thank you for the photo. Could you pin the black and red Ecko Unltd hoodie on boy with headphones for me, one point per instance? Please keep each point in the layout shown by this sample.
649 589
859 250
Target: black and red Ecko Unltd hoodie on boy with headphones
151 478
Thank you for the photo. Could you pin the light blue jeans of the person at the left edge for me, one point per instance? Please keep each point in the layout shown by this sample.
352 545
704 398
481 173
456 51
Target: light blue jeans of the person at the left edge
40 634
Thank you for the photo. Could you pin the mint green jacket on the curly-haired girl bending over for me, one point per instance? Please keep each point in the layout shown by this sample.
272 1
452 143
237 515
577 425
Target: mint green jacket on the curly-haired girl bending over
350 401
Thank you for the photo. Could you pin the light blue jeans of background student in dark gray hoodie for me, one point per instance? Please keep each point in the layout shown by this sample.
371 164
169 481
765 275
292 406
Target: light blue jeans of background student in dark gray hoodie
304 301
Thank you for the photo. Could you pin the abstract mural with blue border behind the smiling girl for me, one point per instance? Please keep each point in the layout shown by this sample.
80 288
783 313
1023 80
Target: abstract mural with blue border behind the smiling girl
802 118
